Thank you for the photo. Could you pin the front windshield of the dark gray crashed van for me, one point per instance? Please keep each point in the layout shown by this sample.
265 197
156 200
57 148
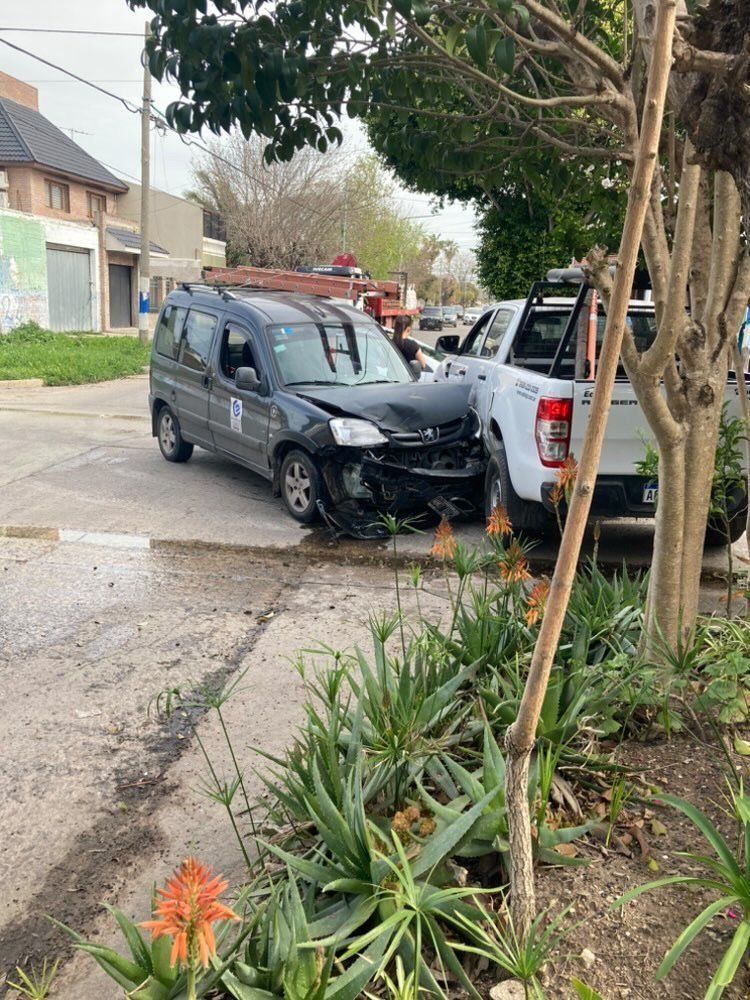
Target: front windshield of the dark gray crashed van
332 354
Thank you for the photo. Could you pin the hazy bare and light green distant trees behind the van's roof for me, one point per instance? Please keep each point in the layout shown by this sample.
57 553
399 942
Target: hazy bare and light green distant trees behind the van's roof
307 210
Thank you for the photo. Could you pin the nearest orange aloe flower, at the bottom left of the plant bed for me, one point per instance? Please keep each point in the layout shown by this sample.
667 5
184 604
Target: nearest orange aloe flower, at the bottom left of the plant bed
186 911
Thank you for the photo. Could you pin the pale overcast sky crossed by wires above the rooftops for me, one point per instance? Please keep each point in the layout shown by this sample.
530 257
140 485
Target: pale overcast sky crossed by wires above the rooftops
104 127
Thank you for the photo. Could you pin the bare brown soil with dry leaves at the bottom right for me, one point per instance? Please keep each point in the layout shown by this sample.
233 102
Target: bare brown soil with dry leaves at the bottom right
629 943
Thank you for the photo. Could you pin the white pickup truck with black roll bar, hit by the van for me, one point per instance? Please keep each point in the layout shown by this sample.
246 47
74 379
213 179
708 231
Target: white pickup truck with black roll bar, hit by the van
531 364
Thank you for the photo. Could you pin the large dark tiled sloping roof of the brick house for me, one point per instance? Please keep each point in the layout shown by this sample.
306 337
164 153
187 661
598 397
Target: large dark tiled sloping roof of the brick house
26 136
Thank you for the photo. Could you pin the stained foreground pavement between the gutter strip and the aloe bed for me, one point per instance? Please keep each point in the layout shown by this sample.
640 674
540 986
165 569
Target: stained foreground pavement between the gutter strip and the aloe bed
101 799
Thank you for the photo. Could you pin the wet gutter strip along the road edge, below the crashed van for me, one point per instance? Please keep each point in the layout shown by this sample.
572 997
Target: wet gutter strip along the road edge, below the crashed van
315 546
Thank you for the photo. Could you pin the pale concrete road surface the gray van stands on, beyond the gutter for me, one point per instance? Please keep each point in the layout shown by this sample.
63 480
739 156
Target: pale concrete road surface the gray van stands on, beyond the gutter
82 458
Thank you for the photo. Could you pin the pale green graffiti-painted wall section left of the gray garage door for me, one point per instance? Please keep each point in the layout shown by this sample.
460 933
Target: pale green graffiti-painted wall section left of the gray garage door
23 272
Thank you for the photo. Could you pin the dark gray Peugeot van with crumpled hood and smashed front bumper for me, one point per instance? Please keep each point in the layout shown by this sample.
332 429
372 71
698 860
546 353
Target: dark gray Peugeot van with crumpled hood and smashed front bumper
312 395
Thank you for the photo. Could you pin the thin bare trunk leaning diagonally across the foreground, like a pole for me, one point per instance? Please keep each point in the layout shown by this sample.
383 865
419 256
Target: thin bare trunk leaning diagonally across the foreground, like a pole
521 735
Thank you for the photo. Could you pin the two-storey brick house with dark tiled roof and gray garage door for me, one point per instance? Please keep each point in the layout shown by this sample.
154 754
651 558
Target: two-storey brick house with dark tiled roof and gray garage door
67 259
